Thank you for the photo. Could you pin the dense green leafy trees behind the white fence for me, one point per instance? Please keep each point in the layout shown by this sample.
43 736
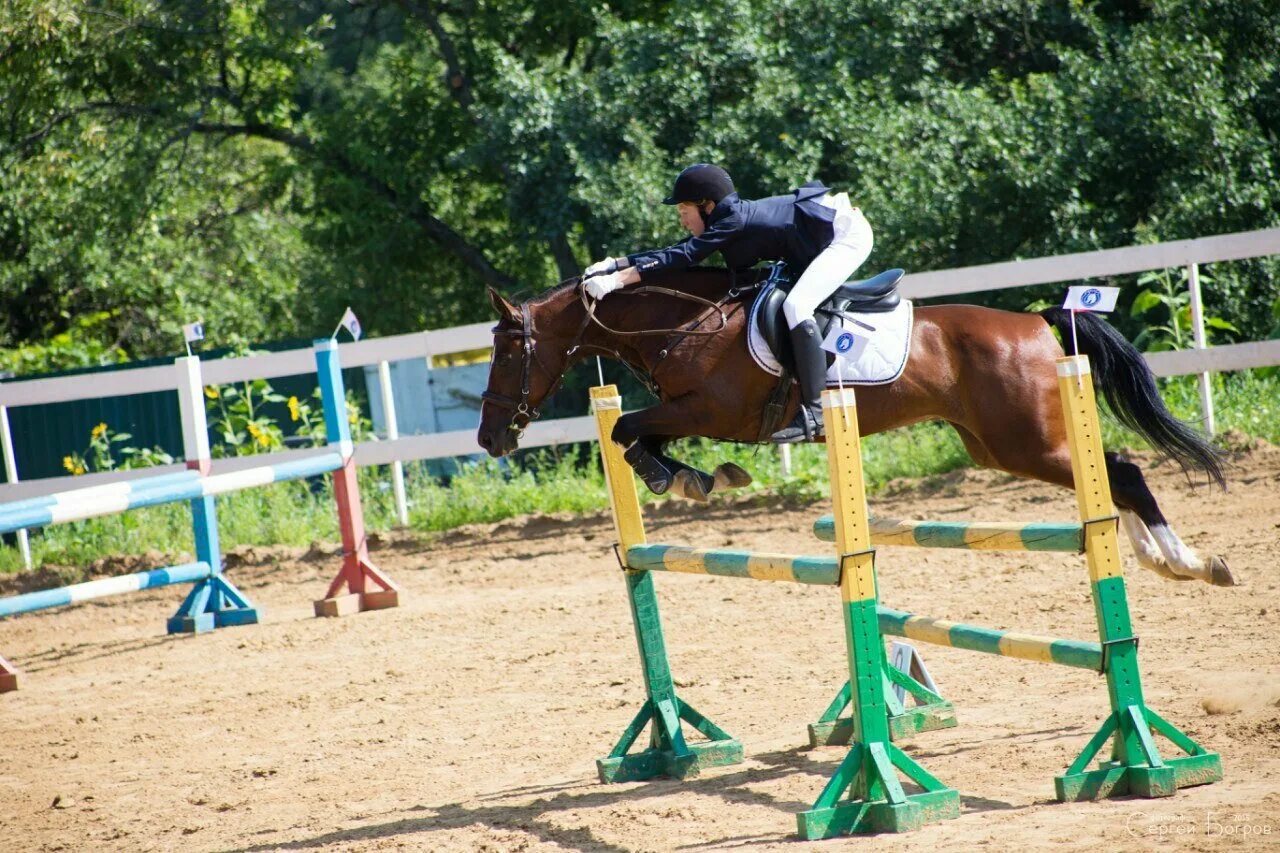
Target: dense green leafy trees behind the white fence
262 165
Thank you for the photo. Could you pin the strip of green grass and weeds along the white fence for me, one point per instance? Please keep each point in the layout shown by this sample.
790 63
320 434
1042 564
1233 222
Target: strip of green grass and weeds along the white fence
569 481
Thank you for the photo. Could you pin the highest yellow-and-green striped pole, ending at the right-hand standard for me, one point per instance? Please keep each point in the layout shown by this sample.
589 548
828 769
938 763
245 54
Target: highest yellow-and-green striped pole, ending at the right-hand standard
973 536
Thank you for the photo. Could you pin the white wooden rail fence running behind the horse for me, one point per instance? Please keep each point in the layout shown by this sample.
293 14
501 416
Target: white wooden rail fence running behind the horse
426 345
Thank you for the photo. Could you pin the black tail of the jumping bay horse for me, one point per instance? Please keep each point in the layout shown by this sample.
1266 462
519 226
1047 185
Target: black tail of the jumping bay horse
1130 387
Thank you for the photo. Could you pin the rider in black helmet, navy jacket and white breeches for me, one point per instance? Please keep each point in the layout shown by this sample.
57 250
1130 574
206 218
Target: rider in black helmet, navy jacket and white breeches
819 234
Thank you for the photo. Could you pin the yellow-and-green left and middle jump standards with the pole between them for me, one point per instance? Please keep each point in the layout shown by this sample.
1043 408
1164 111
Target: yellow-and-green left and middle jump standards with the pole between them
866 795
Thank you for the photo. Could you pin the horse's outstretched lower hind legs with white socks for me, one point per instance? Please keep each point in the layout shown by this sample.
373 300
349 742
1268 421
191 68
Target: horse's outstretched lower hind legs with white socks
1148 528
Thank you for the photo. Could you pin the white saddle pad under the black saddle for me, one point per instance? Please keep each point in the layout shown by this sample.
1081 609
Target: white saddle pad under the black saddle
881 363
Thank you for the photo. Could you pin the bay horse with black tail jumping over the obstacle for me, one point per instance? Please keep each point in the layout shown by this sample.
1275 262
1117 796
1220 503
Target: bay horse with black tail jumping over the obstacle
988 373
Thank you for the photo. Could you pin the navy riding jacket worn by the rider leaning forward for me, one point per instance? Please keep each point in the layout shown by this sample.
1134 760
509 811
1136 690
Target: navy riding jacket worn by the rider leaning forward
793 229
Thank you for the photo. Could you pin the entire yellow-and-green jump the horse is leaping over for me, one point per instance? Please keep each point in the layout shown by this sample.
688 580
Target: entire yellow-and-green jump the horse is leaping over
865 795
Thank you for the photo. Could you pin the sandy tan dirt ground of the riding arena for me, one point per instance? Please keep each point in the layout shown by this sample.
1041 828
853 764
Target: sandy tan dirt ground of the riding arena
470 718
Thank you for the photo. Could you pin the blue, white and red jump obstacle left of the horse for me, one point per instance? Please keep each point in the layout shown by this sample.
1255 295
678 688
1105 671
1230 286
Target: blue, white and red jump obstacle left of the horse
214 601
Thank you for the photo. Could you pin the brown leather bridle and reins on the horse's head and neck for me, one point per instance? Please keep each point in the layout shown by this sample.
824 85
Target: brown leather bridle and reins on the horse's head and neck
529 345
